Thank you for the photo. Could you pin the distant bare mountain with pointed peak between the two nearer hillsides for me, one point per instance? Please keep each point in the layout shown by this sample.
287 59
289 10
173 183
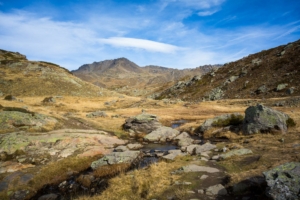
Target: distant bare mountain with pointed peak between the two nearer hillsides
126 77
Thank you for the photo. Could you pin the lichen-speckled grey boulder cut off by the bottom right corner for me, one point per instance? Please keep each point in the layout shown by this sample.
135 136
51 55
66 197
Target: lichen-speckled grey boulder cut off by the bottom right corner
284 181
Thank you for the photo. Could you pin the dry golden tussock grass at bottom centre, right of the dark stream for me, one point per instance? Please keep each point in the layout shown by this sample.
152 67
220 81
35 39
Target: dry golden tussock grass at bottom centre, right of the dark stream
140 184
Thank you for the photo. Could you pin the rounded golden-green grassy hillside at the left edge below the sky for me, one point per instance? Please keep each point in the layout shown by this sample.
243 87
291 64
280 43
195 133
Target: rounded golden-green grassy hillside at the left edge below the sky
18 76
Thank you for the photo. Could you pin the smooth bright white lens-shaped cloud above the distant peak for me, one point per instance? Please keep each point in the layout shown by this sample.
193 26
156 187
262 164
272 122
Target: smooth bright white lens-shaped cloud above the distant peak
140 43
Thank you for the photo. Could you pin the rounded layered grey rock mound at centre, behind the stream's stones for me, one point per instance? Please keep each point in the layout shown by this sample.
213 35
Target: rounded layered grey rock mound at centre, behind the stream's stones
142 124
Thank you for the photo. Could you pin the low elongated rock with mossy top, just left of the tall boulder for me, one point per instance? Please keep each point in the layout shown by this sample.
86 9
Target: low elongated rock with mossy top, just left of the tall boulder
220 121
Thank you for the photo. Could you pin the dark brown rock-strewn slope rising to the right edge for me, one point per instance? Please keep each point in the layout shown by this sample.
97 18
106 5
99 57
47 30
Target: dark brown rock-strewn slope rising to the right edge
269 73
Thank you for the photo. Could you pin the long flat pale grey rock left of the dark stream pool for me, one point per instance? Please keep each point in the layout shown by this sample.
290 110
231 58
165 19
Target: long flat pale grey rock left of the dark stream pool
127 157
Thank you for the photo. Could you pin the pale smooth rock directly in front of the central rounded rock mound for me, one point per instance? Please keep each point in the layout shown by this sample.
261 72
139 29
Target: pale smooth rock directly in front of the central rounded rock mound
162 134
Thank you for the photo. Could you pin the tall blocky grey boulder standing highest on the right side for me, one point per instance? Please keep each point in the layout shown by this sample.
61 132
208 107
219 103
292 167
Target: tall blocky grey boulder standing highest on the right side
262 119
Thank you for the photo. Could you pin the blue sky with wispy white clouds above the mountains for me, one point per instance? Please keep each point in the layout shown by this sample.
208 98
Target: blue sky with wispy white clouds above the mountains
170 33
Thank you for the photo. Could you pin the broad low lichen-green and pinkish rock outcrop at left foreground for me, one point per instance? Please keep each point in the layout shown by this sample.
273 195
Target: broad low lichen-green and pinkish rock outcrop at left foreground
26 148
